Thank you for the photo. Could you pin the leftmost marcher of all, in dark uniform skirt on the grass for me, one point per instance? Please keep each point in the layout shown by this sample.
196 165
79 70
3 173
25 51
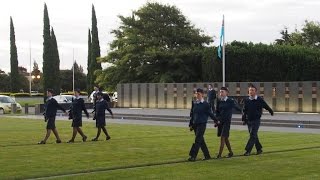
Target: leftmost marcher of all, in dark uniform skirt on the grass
51 107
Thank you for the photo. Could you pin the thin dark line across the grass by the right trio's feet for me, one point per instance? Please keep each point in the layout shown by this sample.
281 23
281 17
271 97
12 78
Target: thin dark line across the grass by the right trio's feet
74 173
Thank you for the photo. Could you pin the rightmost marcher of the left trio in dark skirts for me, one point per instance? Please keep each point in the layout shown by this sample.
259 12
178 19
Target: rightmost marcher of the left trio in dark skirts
100 116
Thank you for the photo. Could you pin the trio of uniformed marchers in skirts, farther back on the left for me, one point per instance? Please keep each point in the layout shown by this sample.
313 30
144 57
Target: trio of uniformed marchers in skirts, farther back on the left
75 113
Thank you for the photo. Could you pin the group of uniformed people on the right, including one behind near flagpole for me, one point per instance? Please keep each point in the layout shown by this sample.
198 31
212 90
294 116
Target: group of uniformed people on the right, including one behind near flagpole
222 115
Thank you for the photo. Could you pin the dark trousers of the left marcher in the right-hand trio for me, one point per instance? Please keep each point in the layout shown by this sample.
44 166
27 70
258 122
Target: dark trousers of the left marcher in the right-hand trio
199 130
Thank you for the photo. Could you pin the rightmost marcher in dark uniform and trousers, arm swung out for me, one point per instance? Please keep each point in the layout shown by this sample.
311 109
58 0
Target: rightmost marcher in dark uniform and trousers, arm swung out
252 112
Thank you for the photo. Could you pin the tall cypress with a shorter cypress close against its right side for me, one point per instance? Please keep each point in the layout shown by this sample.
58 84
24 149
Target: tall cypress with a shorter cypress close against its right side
48 71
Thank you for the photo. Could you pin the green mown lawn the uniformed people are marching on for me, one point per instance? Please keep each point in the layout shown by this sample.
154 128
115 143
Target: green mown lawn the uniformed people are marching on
149 152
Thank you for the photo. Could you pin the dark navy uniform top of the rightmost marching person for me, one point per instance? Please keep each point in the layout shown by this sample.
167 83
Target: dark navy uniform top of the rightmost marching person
252 109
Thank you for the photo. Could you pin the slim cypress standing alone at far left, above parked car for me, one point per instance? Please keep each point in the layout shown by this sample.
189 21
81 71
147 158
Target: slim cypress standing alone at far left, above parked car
14 75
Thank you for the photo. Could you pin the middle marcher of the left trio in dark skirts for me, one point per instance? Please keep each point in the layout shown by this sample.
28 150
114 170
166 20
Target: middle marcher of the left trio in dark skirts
77 107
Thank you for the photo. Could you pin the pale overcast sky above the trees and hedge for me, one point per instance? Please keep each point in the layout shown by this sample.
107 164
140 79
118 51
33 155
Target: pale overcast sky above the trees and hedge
245 20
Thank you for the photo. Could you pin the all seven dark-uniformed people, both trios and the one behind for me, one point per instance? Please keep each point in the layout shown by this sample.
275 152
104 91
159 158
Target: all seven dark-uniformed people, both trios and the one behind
221 114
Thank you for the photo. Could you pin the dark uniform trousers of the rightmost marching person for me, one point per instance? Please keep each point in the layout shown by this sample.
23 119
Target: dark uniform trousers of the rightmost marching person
253 127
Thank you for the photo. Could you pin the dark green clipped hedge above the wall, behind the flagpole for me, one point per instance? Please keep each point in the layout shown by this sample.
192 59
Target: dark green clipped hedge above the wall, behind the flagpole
247 62
